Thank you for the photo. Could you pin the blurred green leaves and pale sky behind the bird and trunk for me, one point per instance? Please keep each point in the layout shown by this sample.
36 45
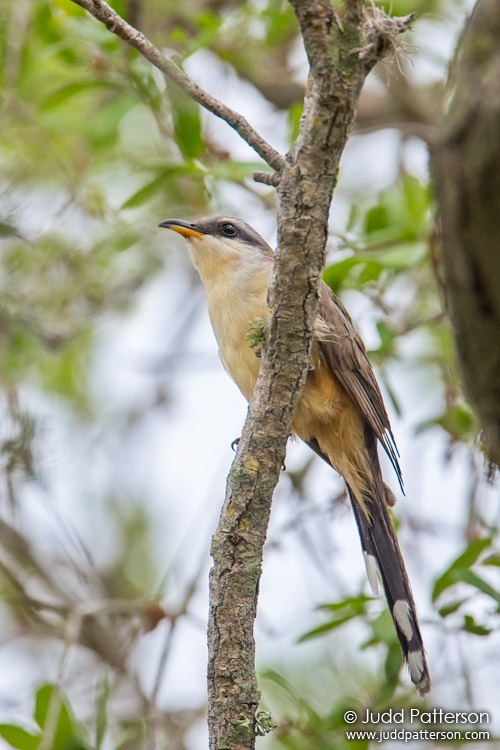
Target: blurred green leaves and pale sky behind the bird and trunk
112 476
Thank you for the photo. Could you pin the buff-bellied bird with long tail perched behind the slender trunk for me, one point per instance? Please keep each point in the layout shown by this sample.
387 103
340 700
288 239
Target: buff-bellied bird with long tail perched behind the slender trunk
341 414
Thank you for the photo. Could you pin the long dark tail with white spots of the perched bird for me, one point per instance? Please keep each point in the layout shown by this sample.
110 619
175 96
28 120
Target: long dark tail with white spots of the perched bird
384 560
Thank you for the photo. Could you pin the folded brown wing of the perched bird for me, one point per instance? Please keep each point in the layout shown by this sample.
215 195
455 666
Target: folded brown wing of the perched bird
344 352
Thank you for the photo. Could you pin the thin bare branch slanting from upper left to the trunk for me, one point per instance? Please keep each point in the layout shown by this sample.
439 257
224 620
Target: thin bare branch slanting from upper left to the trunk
117 25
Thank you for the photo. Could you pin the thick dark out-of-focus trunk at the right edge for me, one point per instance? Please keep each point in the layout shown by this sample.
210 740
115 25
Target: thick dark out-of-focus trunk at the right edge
466 167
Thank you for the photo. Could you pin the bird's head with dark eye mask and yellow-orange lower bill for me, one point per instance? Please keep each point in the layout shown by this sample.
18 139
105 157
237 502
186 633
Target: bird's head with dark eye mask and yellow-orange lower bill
216 242
